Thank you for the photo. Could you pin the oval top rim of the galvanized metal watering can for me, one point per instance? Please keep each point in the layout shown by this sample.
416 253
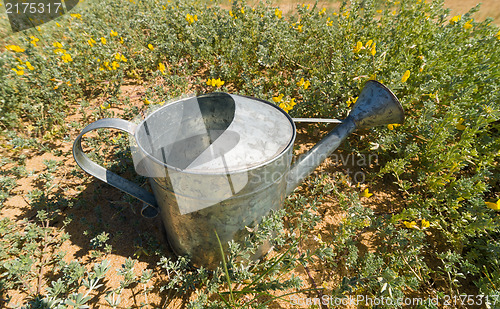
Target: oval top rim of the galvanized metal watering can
211 172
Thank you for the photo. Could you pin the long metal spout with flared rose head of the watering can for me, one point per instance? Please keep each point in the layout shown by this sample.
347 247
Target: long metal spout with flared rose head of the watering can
375 106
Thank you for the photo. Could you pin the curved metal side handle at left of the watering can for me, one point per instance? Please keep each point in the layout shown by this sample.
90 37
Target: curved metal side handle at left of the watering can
151 209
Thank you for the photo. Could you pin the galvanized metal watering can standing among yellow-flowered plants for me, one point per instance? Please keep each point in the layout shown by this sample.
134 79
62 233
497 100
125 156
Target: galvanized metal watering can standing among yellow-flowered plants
218 163
